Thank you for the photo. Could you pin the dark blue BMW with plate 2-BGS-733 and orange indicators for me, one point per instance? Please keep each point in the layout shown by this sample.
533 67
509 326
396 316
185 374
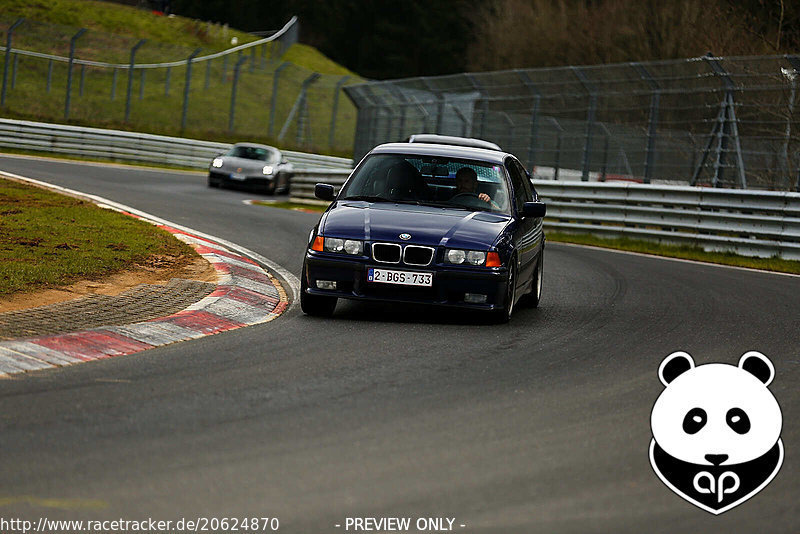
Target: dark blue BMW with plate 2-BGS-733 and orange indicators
437 224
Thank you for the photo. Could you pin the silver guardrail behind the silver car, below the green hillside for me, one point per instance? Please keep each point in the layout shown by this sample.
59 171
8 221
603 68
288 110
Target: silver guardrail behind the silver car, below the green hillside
132 146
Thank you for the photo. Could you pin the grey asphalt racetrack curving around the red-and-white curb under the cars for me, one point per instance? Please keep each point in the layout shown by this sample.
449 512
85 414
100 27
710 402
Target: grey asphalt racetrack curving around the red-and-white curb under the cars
541 425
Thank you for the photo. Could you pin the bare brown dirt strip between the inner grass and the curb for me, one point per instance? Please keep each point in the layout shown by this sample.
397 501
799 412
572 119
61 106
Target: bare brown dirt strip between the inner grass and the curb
156 270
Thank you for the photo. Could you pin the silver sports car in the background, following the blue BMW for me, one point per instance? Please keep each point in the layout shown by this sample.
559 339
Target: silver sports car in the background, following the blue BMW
260 167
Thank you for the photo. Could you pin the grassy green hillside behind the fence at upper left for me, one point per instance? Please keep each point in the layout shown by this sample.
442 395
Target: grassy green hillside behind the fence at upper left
36 87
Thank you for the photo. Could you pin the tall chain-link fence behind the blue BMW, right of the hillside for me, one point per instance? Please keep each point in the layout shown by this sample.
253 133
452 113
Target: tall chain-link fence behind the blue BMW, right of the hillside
726 122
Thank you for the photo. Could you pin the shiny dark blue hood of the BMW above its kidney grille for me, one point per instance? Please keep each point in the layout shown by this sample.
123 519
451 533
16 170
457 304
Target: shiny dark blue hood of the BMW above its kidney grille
427 225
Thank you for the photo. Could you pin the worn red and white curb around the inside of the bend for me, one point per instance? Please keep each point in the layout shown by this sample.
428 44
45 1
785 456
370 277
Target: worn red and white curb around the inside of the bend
246 294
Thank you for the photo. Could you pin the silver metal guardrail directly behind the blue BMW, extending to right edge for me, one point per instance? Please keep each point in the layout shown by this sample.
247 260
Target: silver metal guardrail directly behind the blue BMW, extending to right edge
747 222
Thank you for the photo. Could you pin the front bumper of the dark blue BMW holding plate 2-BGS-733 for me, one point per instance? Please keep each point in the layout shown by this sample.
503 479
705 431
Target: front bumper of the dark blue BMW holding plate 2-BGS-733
450 283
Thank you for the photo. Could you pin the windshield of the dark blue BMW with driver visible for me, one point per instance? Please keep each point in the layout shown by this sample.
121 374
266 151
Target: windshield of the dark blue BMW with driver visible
440 181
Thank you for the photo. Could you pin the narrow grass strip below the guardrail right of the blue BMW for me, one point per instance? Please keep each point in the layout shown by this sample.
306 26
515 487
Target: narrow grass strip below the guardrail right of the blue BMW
678 251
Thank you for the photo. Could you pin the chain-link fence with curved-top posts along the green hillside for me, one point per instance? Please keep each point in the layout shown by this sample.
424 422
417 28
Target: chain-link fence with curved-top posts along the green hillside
66 74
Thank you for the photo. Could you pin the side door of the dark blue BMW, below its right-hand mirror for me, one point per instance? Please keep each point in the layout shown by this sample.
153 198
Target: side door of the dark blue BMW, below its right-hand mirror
525 232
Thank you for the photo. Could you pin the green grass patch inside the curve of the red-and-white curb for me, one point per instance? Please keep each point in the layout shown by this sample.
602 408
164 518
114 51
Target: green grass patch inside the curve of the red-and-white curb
49 240
